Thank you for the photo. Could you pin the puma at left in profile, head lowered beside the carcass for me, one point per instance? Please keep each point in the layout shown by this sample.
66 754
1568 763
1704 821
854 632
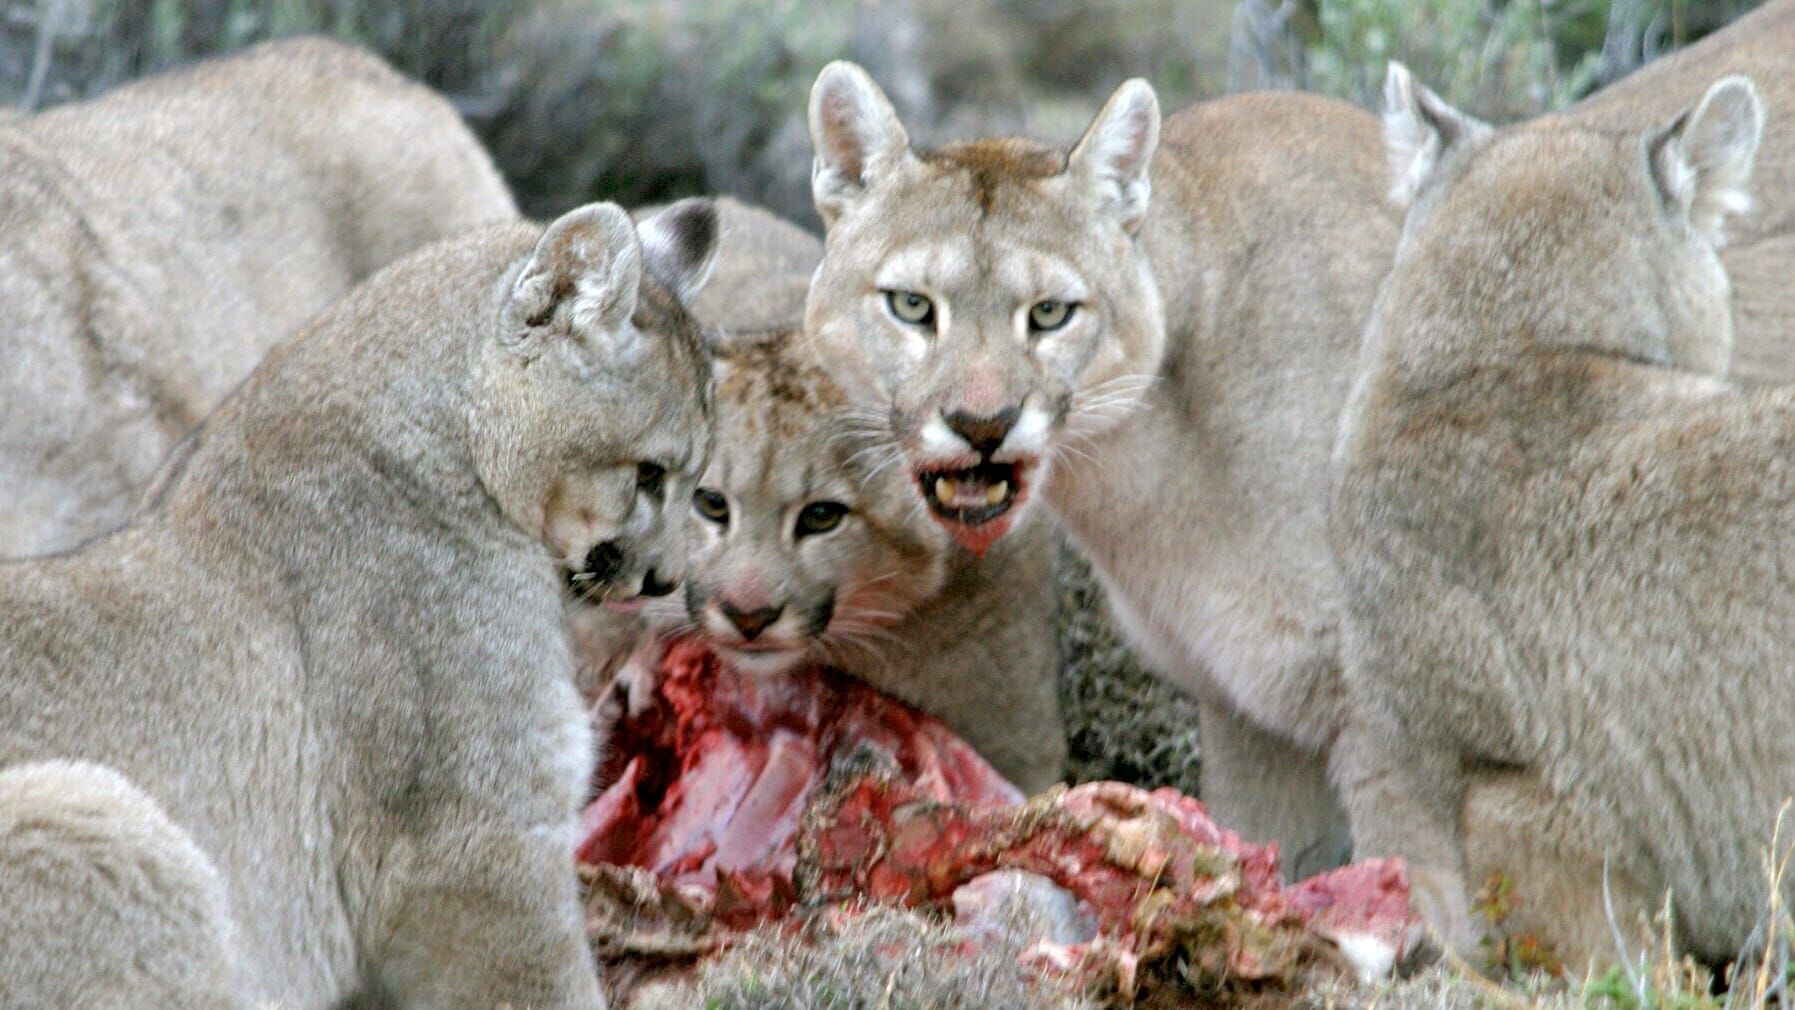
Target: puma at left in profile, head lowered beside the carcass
304 733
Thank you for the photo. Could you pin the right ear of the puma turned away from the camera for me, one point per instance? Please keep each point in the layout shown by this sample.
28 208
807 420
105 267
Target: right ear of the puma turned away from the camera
1703 161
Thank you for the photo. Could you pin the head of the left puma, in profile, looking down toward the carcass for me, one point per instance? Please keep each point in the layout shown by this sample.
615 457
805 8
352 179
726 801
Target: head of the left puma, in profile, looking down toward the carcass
593 412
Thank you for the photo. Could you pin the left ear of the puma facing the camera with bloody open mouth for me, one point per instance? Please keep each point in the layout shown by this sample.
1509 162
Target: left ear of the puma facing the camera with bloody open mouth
855 134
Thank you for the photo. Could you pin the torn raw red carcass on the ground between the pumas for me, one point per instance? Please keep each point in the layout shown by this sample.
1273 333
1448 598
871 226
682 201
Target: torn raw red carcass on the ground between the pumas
735 799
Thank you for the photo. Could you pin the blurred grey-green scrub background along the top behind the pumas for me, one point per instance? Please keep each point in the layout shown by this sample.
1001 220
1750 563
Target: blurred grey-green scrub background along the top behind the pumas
651 100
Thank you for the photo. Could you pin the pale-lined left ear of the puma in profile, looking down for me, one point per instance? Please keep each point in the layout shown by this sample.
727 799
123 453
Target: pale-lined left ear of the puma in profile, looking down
582 277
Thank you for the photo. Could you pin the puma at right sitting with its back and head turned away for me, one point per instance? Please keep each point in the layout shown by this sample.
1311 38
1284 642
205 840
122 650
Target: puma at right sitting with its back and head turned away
1563 532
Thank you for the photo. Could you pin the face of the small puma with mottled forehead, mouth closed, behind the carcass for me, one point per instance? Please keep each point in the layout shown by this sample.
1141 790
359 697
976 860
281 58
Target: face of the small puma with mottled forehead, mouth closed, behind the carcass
809 541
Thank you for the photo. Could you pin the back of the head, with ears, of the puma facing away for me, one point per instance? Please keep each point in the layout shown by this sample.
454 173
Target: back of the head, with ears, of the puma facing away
1611 238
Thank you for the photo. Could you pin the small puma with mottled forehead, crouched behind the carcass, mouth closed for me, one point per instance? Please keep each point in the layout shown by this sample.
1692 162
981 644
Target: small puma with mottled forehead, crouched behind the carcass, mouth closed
814 550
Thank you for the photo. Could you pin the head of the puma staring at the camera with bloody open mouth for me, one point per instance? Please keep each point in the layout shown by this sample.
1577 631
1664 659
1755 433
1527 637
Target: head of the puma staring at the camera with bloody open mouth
988 304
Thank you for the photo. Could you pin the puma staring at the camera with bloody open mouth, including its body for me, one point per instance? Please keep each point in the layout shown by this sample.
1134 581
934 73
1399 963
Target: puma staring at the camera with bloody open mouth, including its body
1153 335
